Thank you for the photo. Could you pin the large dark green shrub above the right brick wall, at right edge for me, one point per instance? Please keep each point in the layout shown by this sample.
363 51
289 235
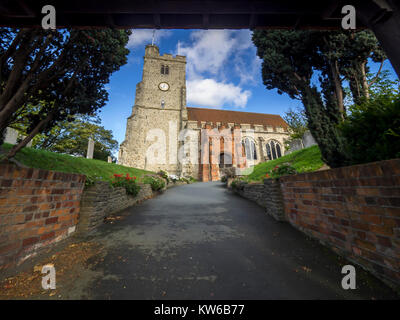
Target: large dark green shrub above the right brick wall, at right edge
372 130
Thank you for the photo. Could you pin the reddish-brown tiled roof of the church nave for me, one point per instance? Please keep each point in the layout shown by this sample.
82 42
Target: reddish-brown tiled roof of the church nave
237 117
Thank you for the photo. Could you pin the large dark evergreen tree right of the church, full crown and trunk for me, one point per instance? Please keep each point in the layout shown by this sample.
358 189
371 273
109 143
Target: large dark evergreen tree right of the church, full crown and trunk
311 66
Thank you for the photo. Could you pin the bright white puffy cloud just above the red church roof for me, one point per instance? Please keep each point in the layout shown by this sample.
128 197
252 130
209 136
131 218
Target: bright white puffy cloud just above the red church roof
210 93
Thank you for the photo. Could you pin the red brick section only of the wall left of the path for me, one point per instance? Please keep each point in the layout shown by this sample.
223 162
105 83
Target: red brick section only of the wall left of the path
37 208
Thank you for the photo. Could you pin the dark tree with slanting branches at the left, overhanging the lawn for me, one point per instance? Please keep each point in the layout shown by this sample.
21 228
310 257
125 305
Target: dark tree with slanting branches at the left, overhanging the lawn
57 73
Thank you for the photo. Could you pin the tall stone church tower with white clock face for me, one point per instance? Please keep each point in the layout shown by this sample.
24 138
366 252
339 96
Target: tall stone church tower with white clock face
158 115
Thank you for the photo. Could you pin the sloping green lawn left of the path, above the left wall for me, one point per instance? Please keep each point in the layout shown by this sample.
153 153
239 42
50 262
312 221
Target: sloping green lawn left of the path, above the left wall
42 159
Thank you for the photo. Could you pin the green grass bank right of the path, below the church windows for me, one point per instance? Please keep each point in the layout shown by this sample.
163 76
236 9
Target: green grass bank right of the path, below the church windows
305 160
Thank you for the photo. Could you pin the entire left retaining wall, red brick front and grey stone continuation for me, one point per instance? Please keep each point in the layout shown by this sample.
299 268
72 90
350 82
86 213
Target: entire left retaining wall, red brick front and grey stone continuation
40 207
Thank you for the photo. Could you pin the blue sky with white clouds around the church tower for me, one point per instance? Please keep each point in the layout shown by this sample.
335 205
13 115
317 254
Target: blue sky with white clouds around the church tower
222 72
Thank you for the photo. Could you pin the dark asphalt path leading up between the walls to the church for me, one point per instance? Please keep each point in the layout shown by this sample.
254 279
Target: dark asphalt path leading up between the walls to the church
201 241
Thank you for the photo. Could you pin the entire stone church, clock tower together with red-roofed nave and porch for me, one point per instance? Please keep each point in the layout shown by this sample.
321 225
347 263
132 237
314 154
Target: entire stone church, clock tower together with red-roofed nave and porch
152 138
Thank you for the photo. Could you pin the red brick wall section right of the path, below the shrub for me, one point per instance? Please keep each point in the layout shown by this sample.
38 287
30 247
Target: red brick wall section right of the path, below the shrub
354 210
